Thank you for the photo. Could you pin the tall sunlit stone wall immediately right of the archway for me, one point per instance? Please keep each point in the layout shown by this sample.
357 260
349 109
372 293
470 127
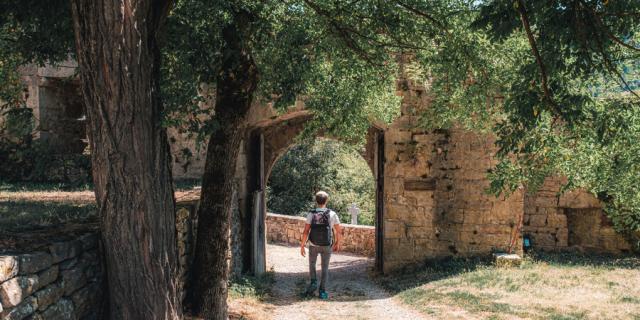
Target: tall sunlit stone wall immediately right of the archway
435 203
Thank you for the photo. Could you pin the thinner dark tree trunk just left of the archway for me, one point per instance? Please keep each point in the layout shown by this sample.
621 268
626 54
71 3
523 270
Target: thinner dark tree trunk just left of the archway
234 94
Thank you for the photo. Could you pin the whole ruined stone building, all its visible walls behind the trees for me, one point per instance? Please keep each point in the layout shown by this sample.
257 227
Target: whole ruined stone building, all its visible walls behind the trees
430 184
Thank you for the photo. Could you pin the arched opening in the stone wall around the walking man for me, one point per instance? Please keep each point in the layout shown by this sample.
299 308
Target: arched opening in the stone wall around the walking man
296 175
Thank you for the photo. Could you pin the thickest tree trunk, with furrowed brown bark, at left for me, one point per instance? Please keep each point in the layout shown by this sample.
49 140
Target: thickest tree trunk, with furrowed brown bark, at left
118 54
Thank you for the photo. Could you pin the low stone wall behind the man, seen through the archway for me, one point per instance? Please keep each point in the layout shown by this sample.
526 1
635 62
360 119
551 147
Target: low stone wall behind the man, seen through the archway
288 229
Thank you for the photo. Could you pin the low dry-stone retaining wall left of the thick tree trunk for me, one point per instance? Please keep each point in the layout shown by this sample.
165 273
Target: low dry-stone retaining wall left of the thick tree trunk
63 280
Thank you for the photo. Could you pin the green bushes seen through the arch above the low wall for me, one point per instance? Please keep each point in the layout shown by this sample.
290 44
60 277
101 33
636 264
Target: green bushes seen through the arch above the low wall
322 165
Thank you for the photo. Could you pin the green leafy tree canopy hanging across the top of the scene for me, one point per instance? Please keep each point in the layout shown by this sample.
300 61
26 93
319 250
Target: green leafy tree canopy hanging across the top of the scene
553 80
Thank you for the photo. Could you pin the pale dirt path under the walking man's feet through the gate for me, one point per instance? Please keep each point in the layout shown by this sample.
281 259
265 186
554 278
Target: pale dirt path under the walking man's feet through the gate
352 294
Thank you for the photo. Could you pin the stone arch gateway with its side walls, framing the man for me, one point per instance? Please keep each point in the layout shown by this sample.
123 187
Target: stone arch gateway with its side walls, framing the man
431 199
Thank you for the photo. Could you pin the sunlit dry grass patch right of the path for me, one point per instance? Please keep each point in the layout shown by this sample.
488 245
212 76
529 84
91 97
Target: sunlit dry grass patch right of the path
559 286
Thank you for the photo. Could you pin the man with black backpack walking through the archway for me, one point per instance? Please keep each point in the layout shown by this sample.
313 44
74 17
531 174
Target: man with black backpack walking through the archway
322 224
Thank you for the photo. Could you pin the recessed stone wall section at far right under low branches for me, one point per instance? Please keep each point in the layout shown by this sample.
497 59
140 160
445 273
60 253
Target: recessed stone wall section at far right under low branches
573 220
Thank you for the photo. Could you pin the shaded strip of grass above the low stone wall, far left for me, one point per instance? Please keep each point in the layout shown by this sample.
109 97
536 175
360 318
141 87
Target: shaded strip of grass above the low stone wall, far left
23 215
